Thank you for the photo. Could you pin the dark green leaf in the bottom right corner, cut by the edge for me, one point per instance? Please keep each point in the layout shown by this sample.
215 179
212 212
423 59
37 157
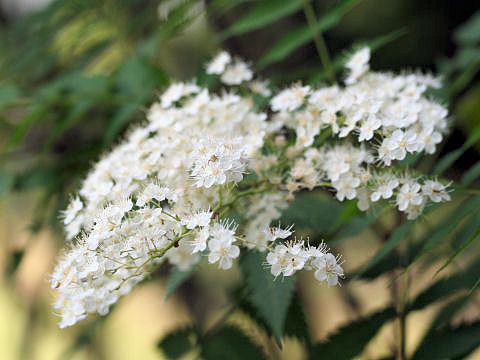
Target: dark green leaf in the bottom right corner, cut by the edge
449 343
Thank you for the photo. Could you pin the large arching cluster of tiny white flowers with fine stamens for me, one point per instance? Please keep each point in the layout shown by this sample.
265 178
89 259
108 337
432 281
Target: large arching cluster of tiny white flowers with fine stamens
165 192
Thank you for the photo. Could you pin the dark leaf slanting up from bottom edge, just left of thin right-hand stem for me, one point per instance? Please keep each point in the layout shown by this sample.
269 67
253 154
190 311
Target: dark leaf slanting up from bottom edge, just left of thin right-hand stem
350 340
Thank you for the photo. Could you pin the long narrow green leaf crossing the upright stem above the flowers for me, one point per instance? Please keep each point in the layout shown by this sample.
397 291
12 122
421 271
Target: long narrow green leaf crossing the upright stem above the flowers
302 35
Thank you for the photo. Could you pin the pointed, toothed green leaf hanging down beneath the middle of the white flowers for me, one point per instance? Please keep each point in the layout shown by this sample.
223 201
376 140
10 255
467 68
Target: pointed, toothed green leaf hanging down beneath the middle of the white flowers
271 297
